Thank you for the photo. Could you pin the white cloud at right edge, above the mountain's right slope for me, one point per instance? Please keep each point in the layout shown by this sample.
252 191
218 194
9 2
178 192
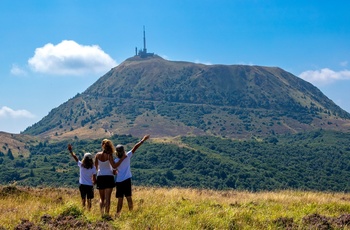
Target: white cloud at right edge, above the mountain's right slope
324 76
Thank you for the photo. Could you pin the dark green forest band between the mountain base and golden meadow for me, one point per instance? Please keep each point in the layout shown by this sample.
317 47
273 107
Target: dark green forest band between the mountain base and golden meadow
318 161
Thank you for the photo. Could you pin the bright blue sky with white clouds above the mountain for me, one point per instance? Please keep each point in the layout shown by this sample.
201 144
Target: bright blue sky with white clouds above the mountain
52 50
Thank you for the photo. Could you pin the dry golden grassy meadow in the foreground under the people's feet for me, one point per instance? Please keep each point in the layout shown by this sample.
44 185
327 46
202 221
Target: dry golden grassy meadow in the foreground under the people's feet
175 208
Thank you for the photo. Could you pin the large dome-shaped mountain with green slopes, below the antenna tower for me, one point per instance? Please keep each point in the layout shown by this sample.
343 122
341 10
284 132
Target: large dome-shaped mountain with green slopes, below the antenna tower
175 98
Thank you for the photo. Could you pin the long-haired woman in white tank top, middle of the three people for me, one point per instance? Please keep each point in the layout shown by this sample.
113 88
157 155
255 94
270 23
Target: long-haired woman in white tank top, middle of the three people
105 176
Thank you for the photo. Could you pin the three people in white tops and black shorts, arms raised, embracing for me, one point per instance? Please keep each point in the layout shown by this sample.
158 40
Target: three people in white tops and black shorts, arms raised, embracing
107 173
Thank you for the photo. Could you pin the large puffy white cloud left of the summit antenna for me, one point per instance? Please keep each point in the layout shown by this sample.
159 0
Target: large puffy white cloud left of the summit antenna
70 58
